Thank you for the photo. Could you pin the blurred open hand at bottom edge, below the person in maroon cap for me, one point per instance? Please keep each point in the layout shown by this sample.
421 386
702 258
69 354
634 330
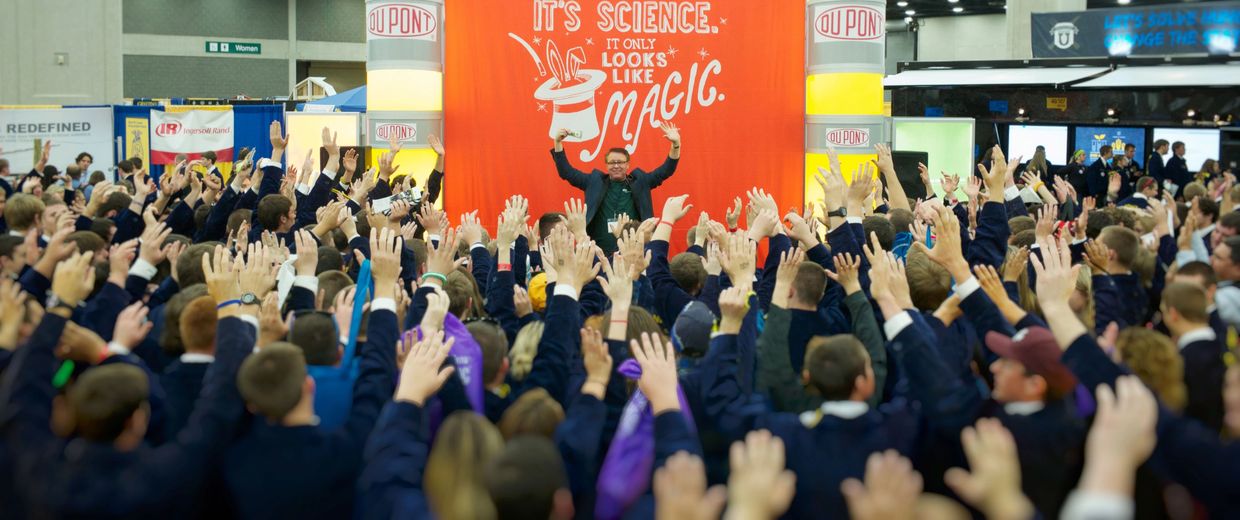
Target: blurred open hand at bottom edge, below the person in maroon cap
994 485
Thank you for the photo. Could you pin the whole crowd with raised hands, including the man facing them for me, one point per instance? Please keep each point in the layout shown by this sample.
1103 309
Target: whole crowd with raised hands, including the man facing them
267 346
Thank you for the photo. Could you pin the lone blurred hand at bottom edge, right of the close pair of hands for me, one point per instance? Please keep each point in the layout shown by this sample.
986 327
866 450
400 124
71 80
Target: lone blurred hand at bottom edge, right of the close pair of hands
891 490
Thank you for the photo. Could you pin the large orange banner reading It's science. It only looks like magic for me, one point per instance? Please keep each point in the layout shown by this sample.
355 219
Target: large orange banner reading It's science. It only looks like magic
730 74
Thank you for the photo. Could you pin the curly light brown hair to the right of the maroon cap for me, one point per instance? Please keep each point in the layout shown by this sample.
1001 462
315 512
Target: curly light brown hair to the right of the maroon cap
1155 359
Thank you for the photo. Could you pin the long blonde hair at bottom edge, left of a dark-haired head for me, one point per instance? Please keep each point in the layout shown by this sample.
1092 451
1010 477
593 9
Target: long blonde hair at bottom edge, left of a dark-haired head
464 446
